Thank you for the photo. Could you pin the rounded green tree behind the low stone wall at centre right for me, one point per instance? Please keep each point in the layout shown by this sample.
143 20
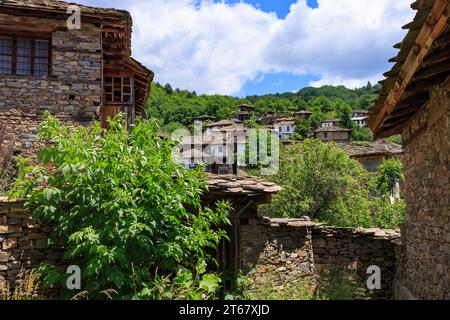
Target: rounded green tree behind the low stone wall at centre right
321 181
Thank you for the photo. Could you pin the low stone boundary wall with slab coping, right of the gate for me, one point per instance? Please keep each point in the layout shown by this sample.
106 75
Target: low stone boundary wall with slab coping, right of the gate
292 248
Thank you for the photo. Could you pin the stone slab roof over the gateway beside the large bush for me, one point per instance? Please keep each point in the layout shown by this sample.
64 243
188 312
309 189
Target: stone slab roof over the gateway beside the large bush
240 184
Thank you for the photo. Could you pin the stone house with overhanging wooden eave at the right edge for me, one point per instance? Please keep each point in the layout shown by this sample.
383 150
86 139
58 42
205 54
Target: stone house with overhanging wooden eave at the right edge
415 102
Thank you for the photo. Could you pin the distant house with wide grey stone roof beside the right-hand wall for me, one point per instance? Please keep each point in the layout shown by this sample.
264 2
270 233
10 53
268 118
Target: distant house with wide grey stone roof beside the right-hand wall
371 155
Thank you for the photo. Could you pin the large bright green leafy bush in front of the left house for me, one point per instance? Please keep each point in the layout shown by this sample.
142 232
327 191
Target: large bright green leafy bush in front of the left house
119 204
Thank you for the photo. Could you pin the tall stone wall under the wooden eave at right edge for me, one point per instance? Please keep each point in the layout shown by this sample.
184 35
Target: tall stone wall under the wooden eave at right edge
426 270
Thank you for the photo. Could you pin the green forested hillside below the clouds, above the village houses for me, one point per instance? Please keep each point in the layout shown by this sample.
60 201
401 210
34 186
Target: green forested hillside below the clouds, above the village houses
176 108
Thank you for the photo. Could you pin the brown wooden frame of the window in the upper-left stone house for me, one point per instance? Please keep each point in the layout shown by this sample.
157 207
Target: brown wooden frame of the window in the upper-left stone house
33 37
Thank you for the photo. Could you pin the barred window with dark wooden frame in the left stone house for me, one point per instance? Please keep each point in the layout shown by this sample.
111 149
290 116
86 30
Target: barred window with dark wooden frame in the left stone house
24 56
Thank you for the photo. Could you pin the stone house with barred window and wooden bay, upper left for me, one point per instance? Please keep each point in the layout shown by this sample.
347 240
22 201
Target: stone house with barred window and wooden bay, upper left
78 75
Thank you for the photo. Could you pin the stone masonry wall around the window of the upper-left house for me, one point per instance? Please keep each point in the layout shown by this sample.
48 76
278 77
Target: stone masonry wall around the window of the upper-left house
72 91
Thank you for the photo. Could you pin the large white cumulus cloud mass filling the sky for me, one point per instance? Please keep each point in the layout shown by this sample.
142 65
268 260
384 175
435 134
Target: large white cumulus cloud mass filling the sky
214 47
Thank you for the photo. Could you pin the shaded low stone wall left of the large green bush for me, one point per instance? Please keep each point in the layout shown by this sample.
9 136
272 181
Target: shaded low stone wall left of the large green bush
23 242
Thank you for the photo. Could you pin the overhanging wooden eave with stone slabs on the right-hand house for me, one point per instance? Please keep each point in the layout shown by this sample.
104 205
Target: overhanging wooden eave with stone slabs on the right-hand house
423 61
